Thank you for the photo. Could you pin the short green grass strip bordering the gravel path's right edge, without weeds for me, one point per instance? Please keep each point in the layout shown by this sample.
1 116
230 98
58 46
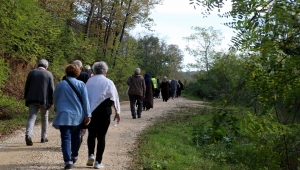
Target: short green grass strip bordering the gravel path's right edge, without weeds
170 144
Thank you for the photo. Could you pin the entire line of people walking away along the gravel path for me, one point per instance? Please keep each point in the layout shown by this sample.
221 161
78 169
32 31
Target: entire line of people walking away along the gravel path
83 100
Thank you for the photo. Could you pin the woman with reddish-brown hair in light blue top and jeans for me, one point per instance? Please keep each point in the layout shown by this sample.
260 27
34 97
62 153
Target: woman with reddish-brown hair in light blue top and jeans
71 111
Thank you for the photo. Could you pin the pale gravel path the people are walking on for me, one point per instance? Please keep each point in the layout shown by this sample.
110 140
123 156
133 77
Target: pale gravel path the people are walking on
14 154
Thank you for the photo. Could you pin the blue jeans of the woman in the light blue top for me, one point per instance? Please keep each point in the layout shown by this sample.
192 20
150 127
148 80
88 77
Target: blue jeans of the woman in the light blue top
70 142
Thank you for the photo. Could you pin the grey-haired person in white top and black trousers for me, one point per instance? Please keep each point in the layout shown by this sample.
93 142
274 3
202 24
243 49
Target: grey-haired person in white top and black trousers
103 95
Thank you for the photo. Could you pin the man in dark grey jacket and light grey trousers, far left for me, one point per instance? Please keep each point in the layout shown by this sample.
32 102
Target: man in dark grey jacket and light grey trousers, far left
38 95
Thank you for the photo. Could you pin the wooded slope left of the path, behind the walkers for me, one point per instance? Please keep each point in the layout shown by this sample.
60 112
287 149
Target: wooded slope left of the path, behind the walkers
88 30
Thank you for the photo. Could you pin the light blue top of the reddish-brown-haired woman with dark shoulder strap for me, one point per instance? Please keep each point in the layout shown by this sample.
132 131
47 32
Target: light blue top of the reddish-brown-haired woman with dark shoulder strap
69 110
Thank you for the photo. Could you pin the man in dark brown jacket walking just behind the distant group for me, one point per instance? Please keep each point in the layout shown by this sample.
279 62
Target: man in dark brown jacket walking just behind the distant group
136 92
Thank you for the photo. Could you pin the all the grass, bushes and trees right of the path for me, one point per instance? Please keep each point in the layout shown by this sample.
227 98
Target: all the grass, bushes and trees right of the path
253 89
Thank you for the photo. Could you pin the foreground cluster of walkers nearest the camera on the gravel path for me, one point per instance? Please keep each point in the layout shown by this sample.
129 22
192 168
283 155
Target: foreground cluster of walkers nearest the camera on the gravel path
80 101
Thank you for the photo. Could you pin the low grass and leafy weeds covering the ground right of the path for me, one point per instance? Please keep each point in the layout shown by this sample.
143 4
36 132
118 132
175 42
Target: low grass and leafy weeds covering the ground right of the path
213 138
